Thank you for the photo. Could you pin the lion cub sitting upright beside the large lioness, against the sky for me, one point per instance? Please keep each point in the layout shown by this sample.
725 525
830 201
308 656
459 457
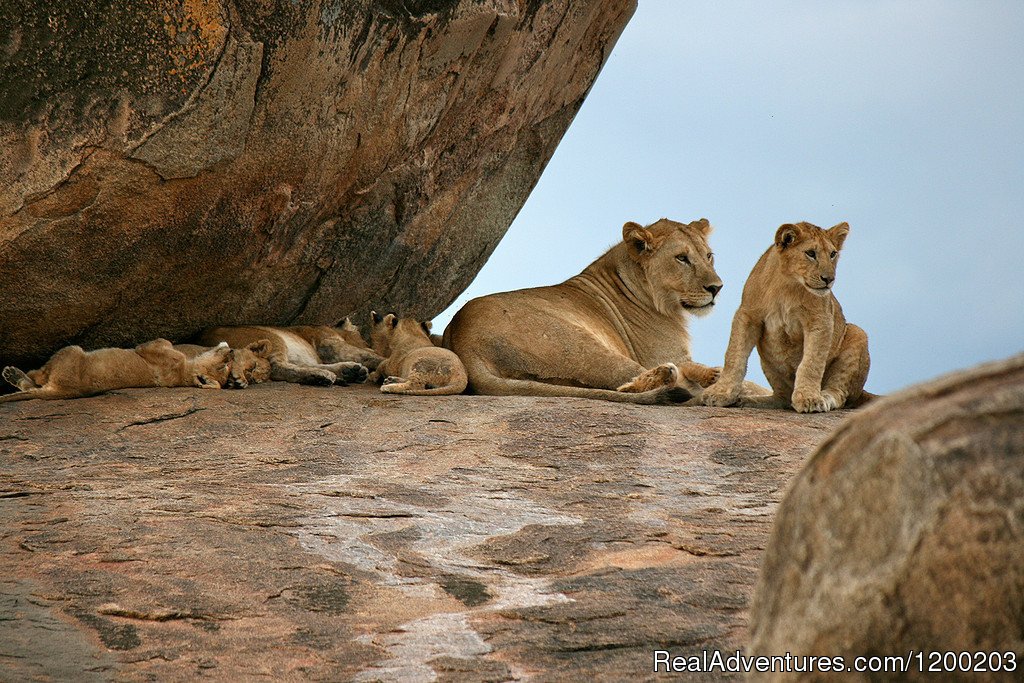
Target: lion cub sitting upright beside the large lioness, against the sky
814 359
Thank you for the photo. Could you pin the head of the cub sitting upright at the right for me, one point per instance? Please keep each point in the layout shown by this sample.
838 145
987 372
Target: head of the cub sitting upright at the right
809 254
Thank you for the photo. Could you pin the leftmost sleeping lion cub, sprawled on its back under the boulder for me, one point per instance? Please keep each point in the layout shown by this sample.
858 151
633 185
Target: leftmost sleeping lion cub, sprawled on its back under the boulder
73 373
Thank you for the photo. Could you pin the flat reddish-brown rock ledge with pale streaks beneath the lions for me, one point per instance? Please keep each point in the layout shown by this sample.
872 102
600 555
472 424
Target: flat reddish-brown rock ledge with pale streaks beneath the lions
300 533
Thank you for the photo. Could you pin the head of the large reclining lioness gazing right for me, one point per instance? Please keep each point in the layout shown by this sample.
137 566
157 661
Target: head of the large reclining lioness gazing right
677 265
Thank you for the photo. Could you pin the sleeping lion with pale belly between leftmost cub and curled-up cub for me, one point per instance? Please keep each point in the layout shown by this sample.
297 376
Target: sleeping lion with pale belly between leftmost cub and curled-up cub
307 355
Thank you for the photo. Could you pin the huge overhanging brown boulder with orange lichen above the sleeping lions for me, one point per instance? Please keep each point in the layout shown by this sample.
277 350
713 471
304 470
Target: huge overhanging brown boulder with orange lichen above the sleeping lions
168 166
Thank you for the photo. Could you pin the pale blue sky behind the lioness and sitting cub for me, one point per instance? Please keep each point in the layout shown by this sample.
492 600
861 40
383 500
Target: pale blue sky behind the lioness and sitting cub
906 119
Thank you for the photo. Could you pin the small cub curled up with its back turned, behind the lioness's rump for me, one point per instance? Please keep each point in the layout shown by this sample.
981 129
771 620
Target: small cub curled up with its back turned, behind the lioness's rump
413 365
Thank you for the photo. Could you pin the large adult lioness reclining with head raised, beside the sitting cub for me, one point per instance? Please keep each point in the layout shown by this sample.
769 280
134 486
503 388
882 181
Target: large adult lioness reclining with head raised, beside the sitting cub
617 331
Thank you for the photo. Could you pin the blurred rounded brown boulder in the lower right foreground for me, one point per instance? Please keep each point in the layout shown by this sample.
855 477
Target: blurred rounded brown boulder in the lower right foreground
906 531
